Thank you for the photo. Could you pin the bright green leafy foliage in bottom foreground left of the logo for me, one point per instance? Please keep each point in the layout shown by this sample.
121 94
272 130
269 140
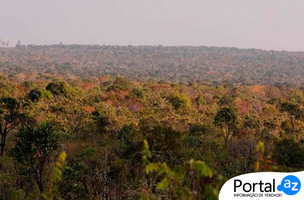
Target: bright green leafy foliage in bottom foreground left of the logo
188 181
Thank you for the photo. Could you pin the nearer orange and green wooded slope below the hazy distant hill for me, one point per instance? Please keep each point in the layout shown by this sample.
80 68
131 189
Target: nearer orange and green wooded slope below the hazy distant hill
102 125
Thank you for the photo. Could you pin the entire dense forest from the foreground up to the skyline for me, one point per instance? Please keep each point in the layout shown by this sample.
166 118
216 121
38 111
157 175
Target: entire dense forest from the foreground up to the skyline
105 122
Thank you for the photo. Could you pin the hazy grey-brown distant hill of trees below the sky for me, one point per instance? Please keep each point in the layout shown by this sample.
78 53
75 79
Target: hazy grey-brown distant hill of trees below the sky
175 64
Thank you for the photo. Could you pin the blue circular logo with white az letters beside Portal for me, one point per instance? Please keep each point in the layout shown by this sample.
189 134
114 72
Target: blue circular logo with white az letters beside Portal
290 185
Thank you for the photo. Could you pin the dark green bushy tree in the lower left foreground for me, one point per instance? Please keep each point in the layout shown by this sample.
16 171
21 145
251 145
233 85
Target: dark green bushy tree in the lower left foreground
34 152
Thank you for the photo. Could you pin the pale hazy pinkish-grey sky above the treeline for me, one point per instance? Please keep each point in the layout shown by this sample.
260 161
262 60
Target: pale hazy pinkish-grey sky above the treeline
266 24
